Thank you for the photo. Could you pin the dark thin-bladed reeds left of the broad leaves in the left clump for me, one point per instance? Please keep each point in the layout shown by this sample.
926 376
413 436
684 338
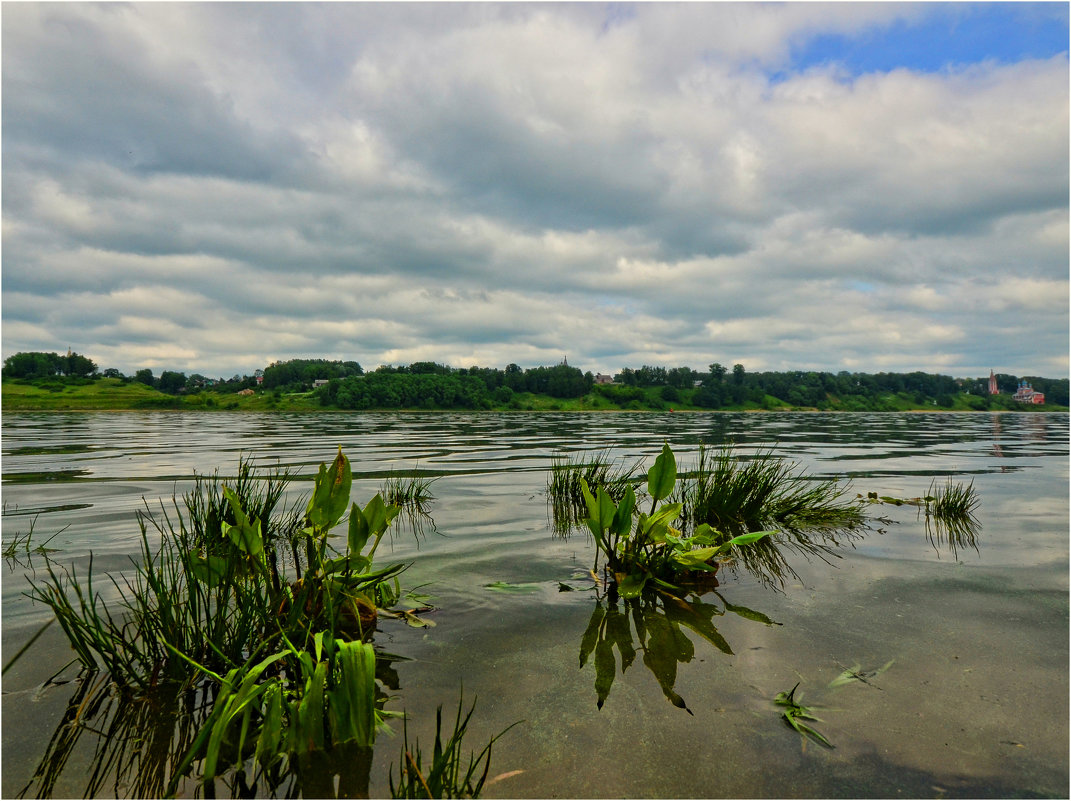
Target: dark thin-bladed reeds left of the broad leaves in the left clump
199 593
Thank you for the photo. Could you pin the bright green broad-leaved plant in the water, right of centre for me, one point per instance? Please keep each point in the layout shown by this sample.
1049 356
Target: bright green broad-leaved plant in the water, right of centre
653 551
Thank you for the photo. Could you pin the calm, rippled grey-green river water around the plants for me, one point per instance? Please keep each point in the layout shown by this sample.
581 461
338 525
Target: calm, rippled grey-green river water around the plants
974 704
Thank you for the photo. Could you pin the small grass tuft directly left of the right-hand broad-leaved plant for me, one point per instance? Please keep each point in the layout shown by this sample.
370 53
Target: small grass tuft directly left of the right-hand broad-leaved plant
565 488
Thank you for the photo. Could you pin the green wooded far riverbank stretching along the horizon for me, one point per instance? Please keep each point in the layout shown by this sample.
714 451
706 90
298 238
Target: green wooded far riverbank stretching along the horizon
344 385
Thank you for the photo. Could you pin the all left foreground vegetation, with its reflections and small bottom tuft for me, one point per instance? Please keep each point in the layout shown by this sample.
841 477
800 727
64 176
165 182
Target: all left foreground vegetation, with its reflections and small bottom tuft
254 629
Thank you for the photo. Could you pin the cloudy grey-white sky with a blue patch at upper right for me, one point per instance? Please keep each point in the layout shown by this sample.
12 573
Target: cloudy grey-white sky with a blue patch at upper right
863 187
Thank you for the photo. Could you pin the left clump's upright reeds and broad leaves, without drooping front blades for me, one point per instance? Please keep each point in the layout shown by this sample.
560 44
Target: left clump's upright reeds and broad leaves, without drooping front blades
219 587
